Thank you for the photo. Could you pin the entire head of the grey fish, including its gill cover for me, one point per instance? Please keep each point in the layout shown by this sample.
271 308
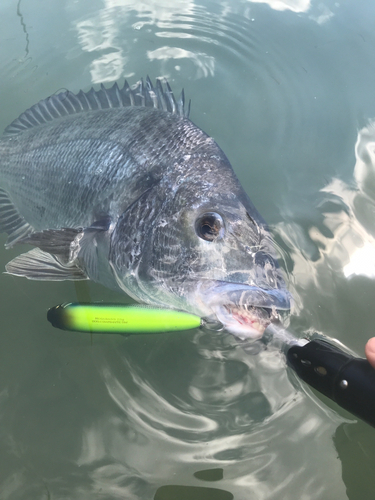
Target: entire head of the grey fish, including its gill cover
206 250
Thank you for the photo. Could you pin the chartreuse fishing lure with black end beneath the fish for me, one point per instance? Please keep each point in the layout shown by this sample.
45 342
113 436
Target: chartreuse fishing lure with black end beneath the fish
118 318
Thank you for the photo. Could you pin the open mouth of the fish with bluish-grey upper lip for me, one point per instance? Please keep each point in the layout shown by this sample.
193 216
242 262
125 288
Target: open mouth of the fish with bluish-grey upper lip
245 310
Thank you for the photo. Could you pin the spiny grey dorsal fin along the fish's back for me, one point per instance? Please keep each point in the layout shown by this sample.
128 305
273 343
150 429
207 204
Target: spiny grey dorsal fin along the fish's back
67 103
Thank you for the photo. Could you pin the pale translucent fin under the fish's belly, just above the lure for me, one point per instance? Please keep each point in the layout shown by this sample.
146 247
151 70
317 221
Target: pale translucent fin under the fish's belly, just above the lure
39 265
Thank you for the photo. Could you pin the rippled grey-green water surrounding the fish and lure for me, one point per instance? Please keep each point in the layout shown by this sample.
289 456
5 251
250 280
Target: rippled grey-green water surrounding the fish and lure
287 88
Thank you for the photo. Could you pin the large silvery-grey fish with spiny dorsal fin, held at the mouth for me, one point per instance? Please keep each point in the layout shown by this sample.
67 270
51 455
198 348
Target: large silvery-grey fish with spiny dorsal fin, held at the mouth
119 186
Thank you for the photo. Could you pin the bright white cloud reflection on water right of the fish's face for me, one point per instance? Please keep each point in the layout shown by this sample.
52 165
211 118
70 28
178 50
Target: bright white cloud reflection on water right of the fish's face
349 247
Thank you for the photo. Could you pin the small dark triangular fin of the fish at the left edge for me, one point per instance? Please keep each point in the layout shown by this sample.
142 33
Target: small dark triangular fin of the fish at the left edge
11 221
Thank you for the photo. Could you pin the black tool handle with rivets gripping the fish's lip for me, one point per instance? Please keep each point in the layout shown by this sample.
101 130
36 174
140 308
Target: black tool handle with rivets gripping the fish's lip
347 380
